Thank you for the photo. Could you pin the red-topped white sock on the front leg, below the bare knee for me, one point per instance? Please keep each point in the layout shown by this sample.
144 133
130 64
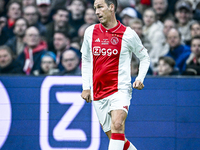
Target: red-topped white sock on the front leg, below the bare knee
116 141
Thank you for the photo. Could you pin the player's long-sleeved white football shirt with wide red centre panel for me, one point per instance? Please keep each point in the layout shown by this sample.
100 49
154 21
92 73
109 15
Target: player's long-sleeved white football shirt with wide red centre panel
106 58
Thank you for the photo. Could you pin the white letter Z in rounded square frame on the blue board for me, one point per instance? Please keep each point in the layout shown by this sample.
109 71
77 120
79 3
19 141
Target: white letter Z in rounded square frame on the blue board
61 132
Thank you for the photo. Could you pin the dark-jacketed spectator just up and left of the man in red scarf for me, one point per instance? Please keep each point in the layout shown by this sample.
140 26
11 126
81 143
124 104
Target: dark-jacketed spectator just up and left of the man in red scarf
16 43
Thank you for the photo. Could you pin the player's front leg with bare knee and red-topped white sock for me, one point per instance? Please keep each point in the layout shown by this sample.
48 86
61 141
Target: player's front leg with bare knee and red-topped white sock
117 139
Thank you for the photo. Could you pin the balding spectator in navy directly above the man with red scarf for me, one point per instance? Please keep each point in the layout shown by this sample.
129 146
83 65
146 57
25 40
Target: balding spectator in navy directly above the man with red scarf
31 15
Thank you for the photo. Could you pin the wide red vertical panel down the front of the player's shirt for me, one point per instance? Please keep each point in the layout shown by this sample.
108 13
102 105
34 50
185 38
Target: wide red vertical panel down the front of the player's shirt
106 48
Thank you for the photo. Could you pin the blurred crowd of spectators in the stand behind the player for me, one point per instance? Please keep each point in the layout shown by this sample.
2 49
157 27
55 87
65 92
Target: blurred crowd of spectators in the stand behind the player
44 37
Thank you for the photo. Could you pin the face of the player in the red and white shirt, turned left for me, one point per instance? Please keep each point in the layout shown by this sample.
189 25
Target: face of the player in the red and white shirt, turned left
102 11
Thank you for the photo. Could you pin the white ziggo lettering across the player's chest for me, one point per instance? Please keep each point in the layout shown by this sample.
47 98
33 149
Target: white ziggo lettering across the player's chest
98 51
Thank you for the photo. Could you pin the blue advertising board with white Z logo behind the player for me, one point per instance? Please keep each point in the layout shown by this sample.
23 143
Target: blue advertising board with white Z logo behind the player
165 115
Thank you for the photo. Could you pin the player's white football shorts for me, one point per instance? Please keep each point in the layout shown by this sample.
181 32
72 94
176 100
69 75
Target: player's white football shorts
103 107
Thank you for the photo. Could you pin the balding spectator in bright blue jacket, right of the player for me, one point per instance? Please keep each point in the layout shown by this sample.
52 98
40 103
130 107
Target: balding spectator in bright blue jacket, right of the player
177 51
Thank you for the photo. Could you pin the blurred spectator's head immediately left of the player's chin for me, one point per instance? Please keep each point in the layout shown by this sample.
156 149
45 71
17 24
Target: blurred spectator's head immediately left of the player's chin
90 16
